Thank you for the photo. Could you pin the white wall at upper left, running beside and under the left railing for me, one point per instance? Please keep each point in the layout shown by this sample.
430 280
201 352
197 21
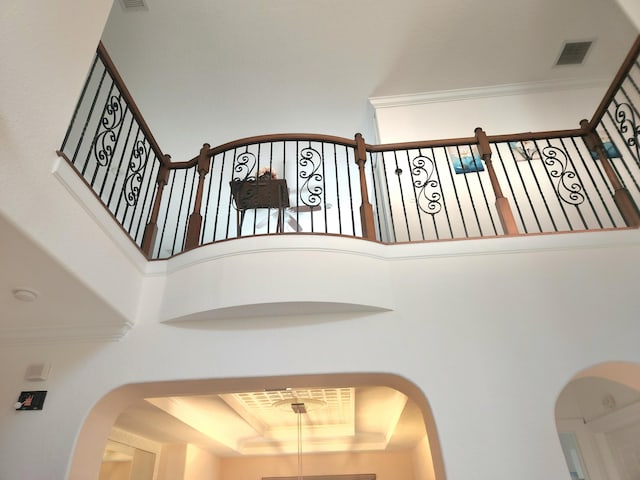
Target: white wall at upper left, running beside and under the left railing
35 111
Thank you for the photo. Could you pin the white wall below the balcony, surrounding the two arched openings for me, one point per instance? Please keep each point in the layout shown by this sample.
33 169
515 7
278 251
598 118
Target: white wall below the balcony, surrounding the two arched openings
486 329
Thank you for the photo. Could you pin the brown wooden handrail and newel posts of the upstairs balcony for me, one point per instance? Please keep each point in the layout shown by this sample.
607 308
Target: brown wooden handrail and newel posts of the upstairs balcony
360 151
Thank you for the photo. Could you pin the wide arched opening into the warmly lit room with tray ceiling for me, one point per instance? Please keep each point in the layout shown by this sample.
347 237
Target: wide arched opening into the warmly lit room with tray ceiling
238 428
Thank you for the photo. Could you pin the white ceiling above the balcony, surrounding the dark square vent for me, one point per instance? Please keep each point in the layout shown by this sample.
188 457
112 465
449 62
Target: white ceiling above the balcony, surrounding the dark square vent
214 71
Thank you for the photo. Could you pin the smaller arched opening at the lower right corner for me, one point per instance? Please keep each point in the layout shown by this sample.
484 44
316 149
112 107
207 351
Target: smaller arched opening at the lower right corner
598 420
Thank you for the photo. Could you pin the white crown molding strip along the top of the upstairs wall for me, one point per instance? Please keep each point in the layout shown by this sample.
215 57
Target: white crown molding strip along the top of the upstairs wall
442 96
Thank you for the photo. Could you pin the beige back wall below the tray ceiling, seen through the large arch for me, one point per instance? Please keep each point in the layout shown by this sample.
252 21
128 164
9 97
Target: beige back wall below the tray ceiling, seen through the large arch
387 466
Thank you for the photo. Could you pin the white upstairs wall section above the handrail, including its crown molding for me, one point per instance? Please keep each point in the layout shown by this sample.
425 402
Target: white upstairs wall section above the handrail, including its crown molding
536 107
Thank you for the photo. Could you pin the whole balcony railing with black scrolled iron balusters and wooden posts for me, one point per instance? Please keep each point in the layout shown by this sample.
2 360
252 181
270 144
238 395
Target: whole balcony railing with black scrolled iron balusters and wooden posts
480 186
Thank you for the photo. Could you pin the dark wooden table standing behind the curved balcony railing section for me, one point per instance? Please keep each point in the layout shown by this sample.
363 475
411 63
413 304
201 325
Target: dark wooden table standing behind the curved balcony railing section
260 193
